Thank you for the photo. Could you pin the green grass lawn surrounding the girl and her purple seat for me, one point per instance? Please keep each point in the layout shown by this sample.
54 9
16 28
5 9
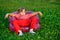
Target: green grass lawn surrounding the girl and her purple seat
50 21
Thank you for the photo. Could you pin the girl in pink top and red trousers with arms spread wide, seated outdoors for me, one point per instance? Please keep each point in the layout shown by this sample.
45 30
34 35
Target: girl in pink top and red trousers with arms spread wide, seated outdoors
23 19
